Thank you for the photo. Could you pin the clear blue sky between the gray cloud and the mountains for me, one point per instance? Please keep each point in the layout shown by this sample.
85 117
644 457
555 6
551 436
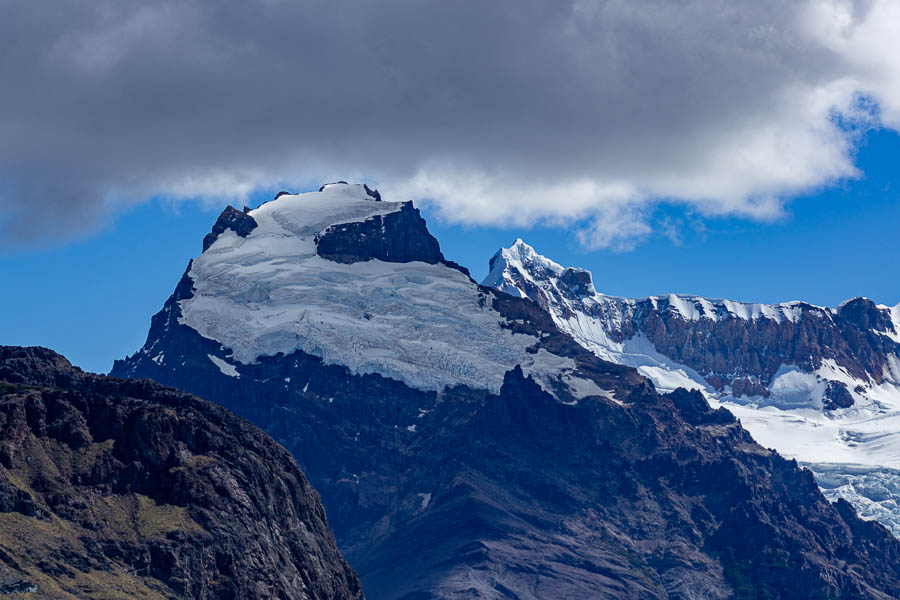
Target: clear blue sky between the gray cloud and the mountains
92 299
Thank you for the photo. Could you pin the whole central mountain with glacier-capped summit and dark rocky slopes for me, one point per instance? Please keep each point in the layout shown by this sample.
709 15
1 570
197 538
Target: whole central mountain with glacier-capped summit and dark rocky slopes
465 446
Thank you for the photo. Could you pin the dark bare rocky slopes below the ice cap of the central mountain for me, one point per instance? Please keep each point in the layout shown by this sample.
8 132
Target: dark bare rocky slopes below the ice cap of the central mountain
516 495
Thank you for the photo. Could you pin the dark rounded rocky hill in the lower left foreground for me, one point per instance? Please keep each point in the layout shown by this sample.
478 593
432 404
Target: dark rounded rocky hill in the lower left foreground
126 489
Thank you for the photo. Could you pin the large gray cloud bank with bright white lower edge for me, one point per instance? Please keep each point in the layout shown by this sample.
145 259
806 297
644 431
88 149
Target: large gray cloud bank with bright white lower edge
501 112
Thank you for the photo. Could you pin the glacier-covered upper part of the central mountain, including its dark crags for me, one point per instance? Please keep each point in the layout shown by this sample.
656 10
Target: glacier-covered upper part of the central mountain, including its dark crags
342 275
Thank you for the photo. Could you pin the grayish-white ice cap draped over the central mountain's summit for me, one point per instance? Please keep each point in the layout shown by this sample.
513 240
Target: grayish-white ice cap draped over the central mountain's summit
426 325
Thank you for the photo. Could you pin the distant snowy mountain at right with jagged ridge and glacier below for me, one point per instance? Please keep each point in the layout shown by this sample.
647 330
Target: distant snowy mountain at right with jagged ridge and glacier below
820 385
